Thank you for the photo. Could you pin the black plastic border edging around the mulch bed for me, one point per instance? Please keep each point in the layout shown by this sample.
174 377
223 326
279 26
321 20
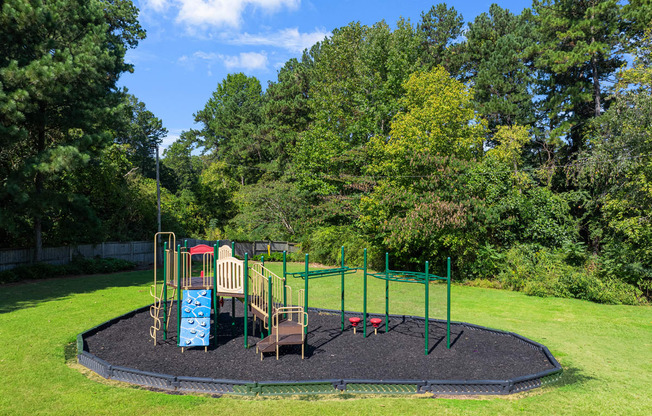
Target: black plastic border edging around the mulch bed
329 386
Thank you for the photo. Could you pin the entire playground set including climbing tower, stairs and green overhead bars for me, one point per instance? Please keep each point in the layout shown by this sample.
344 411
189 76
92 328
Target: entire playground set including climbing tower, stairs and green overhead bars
282 317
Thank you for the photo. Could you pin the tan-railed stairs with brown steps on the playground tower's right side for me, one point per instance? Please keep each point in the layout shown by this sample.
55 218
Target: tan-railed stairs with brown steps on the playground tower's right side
269 299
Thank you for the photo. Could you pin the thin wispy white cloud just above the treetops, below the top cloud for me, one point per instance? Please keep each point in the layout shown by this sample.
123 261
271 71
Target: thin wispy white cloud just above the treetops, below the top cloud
290 39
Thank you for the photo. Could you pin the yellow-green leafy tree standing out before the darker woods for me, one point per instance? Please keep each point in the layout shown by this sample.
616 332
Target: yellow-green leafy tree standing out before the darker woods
421 206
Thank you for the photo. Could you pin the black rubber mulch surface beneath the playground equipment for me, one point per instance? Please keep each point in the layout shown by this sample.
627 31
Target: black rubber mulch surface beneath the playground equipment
330 353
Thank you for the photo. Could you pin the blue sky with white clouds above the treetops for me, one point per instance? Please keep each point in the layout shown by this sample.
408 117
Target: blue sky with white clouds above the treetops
192 45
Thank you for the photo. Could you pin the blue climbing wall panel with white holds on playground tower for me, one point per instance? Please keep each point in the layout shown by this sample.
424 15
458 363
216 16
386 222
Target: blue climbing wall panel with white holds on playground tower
195 318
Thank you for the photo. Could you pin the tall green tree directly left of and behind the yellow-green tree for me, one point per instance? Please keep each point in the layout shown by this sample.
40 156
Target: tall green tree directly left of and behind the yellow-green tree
358 77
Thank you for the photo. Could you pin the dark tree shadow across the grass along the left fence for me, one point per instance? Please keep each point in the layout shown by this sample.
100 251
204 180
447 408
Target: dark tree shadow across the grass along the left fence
29 294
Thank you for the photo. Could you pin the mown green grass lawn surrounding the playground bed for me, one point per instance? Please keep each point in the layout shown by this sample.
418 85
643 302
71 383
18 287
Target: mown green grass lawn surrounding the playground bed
606 351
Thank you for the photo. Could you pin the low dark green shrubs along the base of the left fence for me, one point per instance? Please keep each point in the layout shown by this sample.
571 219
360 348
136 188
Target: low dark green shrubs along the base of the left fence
78 266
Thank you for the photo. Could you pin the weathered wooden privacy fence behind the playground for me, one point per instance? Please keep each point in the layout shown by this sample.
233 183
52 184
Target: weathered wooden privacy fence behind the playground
140 252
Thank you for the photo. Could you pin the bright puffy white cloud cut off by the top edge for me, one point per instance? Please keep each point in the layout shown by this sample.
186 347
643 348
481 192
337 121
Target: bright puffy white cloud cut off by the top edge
217 13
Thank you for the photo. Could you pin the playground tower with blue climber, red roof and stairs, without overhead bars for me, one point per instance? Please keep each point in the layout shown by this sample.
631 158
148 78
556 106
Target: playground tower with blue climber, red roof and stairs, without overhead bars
222 275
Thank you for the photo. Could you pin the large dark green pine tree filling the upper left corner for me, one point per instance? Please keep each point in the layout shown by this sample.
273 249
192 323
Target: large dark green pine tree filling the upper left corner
59 64
